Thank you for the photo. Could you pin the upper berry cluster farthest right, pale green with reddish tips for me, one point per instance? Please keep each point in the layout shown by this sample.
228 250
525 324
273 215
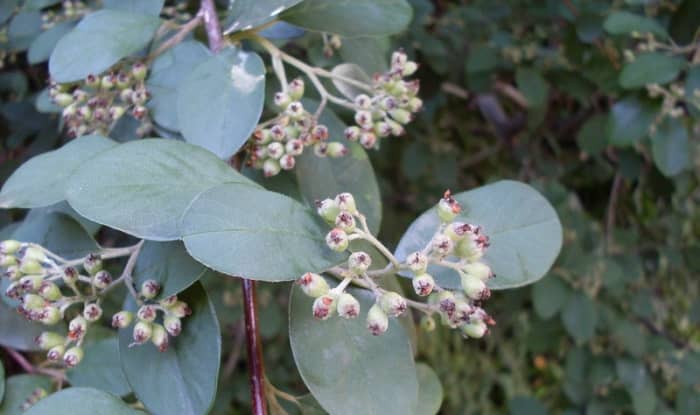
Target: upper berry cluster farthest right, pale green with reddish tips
391 106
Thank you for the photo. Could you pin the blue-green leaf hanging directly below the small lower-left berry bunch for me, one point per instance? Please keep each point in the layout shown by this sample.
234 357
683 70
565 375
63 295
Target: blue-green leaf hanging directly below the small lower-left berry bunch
181 380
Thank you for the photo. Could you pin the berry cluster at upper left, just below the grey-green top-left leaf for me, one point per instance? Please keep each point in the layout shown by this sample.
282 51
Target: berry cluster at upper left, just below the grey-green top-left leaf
95 104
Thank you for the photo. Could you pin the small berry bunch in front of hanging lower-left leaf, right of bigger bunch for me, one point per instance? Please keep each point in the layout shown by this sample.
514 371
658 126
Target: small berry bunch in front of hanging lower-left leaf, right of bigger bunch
146 327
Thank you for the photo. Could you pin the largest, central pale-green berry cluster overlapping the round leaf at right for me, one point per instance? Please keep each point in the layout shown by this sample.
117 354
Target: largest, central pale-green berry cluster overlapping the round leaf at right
456 245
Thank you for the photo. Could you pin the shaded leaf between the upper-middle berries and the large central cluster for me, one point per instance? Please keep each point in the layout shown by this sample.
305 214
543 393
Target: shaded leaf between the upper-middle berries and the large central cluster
321 178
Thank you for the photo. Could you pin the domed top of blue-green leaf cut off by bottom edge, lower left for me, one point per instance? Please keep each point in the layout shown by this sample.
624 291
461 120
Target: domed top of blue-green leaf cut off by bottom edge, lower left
81 401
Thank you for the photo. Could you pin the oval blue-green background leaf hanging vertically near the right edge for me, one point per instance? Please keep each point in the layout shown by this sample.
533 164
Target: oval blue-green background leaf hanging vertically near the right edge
670 147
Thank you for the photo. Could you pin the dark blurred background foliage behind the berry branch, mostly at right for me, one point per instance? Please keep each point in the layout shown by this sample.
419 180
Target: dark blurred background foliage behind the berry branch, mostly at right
573 97
